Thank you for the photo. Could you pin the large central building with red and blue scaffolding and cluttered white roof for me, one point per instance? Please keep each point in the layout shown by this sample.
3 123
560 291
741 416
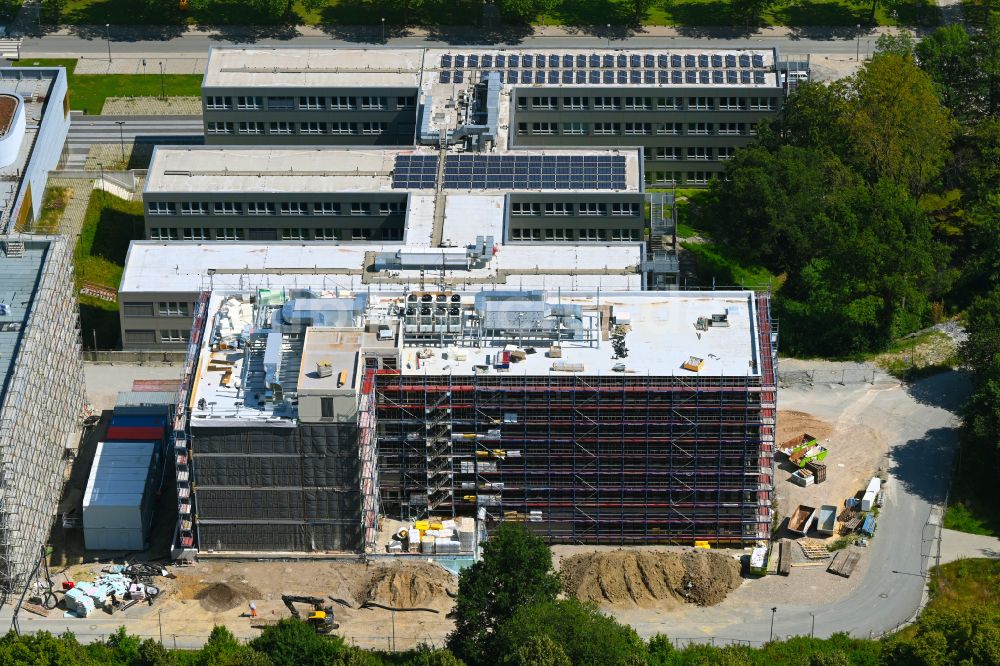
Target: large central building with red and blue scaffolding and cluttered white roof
593 417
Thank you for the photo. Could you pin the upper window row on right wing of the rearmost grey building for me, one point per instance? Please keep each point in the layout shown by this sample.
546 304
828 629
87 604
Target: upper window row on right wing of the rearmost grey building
551 103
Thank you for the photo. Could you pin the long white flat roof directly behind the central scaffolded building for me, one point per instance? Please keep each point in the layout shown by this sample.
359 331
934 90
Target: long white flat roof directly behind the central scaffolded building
185 266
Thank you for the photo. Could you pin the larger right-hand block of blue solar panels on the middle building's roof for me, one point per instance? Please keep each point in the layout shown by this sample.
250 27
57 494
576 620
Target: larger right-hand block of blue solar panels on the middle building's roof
534 172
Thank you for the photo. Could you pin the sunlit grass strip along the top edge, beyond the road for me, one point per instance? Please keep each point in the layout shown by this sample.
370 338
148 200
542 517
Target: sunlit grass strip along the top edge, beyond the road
468 12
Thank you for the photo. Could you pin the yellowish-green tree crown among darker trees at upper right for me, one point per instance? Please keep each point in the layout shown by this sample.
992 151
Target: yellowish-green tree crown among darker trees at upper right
899 128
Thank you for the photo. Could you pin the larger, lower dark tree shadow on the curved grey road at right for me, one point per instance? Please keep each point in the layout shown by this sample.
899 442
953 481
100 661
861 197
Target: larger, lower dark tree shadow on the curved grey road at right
922 466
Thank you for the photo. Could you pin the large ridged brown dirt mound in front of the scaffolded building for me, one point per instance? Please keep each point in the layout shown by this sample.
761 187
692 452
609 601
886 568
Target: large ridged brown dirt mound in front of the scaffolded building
641 578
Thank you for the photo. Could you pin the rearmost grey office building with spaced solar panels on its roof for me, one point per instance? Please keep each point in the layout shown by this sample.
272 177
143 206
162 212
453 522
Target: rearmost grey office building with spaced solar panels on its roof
688 109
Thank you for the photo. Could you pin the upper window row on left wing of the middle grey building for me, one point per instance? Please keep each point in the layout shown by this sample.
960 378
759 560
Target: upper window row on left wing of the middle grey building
362 208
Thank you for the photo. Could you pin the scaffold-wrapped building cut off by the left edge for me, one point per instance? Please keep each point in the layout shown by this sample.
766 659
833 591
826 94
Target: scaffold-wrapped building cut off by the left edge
41 395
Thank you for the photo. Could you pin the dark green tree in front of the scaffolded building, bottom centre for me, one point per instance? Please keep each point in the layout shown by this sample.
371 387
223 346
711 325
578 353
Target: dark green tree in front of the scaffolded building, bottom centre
515 570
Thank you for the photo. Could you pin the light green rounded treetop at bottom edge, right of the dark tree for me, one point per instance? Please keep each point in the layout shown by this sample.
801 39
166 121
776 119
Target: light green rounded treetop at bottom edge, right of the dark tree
586 636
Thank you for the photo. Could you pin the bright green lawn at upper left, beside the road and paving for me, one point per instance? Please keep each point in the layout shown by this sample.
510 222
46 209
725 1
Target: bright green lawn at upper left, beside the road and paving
87 92
